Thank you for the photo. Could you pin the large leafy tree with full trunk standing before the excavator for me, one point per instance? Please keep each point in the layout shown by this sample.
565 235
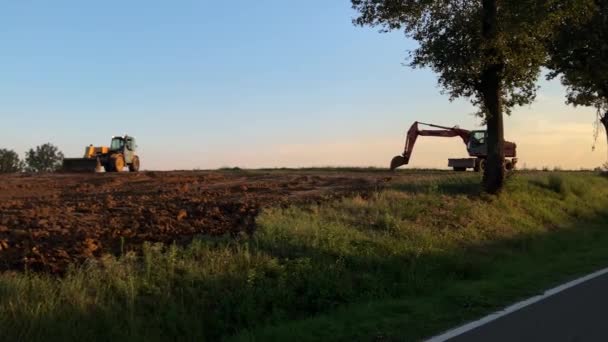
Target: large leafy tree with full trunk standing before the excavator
488 51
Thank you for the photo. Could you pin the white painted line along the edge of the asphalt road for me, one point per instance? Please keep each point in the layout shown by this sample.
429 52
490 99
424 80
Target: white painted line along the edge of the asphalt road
511 309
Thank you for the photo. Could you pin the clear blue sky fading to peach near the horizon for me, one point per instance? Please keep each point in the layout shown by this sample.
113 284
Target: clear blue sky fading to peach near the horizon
268 83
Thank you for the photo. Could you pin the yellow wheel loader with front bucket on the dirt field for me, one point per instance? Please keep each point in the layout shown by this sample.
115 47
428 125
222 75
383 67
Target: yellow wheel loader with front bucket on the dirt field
120 154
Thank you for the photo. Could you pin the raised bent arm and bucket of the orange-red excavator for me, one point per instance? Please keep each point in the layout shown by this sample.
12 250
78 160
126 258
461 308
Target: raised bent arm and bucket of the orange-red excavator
414 132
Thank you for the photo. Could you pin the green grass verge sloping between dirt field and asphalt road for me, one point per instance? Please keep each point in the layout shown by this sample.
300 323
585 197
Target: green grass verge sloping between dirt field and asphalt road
401 264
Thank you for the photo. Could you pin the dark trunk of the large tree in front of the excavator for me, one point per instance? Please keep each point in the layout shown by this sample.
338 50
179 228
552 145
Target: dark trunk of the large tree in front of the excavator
491 83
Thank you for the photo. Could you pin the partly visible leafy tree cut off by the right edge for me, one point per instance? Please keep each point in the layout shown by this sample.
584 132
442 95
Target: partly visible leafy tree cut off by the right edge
579 54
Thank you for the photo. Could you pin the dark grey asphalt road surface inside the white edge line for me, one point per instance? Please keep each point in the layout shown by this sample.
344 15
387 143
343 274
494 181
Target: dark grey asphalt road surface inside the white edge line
579 313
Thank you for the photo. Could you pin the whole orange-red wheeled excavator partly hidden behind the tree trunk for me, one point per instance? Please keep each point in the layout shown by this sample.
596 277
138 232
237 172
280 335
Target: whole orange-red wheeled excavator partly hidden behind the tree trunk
474 140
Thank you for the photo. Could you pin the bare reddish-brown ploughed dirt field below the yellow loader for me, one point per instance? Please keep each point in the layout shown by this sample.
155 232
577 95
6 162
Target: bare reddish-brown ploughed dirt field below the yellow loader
50 221
